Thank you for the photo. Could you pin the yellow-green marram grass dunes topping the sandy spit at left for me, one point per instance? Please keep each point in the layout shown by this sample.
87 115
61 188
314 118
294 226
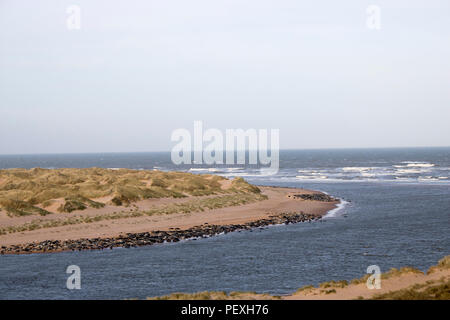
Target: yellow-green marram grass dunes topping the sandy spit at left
33 191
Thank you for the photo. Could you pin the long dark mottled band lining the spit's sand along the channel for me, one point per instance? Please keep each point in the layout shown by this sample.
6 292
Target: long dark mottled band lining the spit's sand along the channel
154 237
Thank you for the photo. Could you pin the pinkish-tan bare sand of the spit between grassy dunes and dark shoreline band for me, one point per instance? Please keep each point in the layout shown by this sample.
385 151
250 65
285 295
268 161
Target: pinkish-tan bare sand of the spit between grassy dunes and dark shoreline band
279 201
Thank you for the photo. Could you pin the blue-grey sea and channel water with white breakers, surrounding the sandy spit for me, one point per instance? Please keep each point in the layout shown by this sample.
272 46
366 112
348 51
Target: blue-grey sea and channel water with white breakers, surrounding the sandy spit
397 213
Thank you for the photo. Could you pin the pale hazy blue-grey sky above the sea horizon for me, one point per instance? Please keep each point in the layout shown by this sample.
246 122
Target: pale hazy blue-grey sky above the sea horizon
137 70
